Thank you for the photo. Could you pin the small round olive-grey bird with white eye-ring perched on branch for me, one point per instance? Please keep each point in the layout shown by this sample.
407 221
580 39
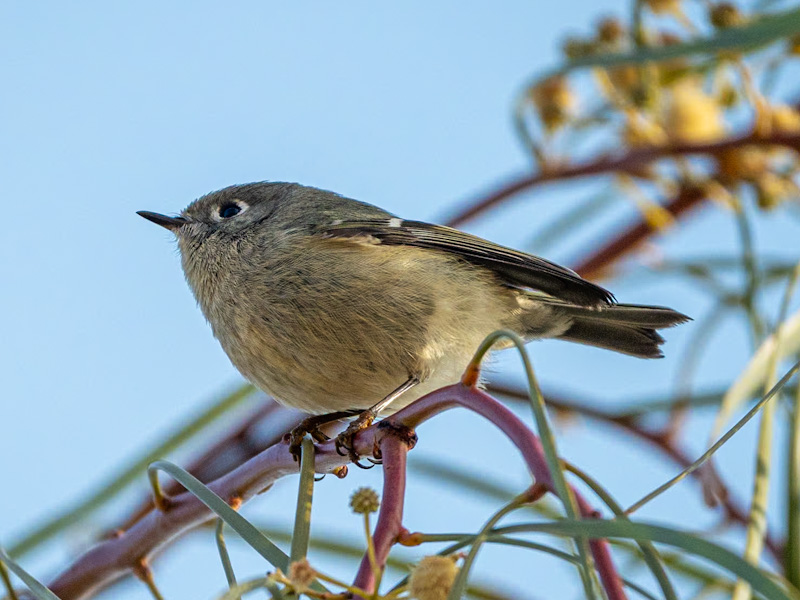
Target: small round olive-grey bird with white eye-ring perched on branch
334 306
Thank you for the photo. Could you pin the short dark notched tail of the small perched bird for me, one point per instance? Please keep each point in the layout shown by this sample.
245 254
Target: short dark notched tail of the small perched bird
626 328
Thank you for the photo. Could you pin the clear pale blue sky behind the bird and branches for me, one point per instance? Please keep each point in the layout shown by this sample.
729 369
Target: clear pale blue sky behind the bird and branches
109 108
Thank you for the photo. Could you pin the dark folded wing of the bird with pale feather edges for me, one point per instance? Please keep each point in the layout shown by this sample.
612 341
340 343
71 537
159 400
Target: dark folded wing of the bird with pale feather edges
515 268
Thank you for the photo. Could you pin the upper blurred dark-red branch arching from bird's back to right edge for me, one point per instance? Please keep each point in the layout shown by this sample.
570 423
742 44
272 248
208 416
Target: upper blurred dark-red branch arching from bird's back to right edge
631 162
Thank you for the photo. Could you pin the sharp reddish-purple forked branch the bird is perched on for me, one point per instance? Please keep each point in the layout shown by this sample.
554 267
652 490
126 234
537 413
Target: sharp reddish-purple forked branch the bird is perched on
112 559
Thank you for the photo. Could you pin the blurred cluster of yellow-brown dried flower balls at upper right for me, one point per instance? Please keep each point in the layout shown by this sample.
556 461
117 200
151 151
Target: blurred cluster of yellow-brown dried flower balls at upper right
678 101
